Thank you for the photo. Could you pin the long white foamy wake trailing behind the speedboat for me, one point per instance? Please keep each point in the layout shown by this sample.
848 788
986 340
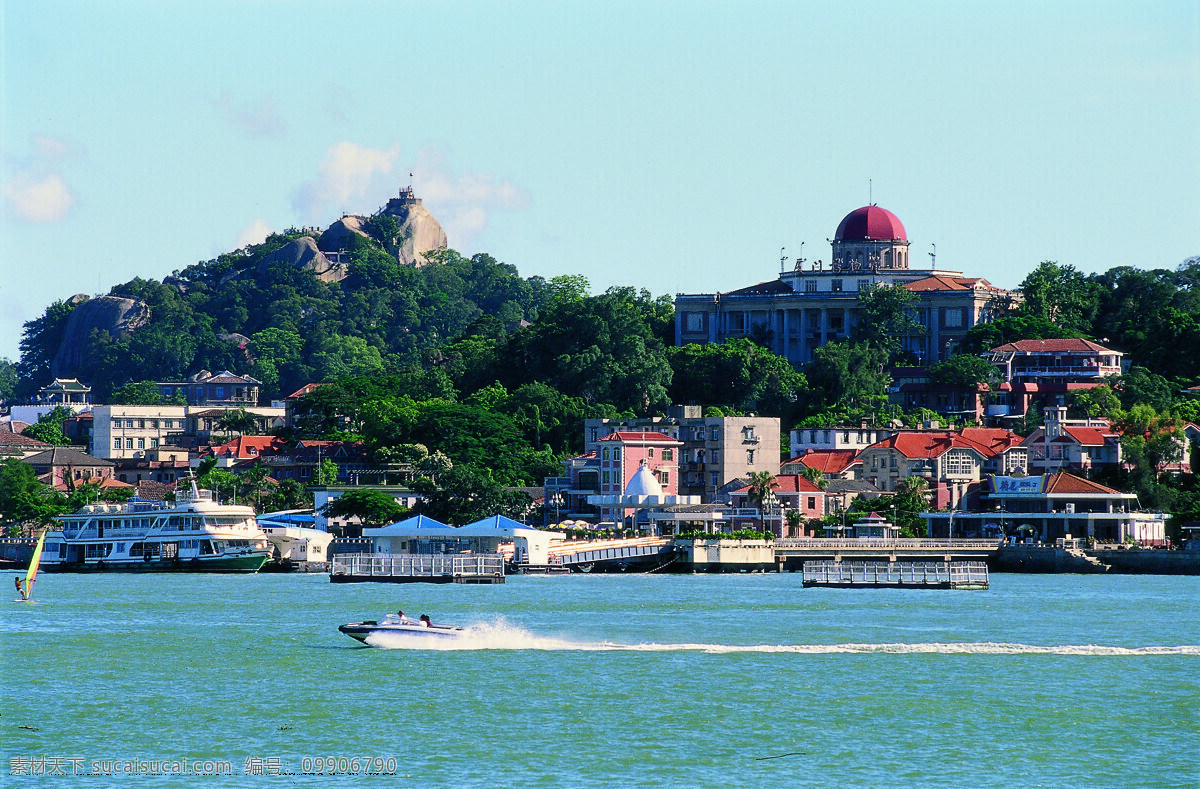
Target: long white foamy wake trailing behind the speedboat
502 636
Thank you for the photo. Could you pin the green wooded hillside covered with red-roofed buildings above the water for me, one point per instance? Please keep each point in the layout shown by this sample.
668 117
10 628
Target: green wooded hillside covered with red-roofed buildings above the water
926 399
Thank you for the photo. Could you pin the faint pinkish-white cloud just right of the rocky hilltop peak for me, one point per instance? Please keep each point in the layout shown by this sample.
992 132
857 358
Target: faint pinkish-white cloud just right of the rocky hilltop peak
463 202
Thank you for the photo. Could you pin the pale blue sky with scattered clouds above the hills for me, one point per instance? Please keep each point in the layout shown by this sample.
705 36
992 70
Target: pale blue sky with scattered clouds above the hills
674 147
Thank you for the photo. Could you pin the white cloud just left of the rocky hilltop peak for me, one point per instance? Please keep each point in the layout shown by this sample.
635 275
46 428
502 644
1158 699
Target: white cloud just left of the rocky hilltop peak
351 178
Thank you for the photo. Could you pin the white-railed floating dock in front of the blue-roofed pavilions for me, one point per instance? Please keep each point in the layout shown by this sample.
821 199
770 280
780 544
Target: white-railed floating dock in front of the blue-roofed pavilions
409 569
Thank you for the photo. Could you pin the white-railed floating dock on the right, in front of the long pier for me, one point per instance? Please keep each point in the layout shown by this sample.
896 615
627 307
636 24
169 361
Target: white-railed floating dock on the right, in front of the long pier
896 575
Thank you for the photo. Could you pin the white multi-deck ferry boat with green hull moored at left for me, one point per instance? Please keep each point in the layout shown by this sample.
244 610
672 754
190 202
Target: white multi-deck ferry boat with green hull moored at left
195 534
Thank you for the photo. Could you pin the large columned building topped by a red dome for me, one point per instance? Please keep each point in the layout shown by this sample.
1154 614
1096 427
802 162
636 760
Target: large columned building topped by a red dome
812 304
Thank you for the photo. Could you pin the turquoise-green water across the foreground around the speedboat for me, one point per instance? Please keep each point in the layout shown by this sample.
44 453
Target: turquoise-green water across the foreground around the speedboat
610 680
